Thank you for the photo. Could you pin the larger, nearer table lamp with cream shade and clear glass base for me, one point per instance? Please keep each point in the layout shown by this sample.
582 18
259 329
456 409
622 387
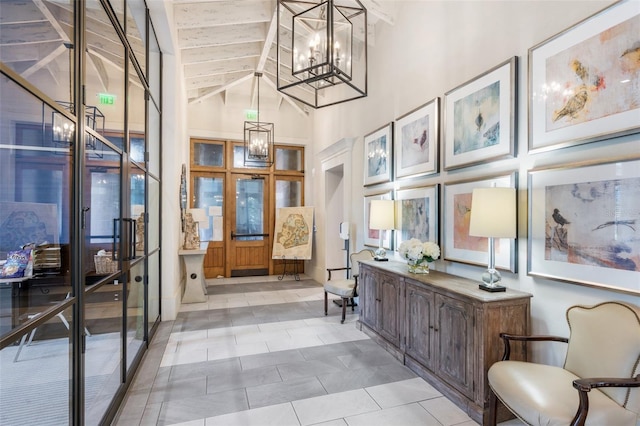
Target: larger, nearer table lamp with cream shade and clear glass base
493 215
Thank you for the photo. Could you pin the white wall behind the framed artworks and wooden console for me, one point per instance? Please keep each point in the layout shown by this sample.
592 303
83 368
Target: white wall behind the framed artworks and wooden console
433 47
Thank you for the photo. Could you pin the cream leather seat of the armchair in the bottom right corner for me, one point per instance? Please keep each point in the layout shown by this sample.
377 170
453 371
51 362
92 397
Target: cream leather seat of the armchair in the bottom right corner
544 395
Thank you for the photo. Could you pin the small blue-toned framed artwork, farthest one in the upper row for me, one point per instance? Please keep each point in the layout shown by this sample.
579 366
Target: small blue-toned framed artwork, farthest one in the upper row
378 147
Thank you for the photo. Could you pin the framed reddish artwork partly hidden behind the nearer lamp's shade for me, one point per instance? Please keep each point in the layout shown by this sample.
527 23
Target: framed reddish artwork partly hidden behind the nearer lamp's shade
458 245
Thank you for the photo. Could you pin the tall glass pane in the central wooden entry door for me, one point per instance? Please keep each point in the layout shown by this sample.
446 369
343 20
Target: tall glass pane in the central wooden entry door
249 208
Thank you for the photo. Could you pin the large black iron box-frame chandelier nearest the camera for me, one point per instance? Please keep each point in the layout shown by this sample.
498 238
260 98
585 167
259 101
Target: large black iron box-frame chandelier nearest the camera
322 51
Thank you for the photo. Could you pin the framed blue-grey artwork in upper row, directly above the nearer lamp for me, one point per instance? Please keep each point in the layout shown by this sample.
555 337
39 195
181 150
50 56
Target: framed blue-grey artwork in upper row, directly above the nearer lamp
480 122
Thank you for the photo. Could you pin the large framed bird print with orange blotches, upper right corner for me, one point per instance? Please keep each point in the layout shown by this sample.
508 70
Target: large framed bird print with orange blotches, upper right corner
584 83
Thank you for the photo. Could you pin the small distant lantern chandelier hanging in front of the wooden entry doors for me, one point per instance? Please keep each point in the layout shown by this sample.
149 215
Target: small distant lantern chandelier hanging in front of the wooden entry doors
258 139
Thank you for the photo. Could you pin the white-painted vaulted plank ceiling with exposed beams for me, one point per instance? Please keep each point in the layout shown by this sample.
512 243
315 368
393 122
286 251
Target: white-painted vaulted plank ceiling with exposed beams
222 43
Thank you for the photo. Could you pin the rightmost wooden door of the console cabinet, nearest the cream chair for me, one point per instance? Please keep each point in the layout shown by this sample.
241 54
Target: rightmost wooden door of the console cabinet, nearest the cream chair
454 342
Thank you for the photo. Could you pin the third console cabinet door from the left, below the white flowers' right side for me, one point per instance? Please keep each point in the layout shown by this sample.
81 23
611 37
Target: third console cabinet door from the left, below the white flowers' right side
419 323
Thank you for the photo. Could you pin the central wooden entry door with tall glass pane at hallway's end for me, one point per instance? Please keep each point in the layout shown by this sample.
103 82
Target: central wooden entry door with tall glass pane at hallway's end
249 240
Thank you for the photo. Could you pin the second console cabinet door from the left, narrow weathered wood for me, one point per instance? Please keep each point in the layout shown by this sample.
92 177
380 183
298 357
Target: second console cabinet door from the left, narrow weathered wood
389 325
